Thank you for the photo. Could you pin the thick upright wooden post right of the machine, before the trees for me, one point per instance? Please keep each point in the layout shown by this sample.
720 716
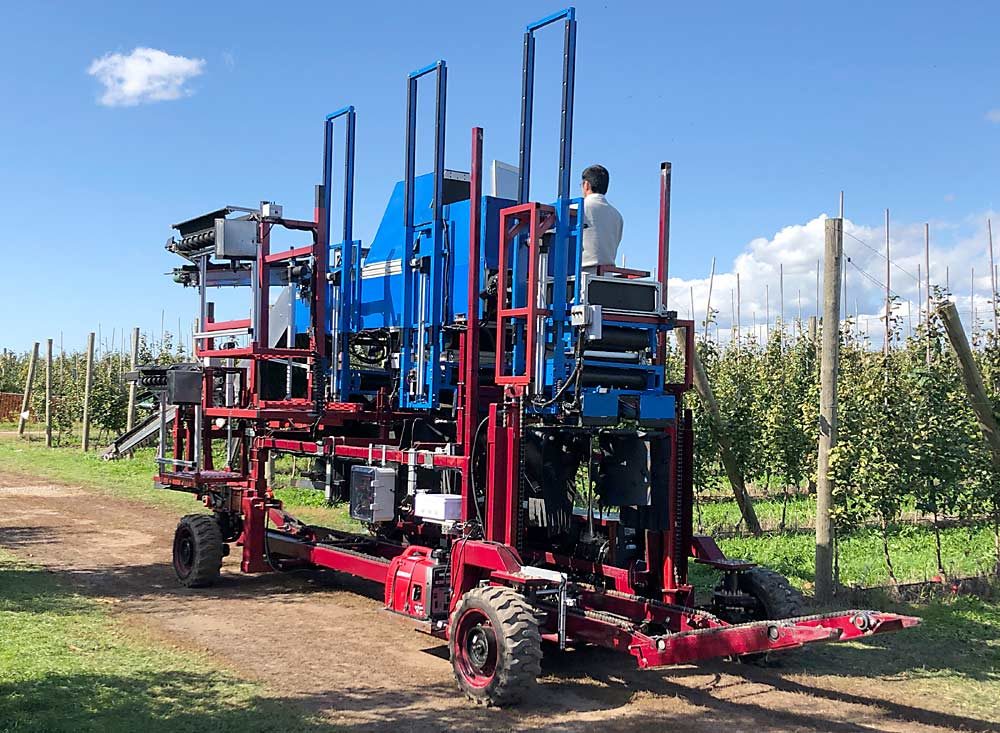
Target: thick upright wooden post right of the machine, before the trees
829 364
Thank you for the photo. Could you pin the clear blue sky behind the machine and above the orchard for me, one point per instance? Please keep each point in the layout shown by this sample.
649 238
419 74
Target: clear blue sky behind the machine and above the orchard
766 110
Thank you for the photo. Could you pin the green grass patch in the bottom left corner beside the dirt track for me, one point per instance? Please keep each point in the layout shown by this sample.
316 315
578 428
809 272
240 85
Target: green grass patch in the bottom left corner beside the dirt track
67 665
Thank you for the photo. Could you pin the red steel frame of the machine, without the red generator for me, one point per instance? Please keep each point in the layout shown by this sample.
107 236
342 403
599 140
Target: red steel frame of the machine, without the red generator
654 592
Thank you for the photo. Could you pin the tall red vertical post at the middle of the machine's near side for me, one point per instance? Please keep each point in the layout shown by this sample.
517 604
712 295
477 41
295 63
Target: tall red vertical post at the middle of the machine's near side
470 344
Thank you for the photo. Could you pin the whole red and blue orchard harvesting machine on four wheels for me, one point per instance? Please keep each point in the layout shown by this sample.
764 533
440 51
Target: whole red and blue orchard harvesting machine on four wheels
499 420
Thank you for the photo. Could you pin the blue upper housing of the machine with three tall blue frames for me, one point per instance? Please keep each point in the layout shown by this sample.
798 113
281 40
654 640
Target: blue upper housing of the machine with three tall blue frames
393 304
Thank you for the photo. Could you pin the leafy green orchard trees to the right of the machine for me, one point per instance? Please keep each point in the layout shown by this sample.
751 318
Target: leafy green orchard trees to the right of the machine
907 439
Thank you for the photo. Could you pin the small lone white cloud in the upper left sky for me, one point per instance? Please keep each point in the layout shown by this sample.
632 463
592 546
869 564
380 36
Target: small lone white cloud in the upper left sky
144 75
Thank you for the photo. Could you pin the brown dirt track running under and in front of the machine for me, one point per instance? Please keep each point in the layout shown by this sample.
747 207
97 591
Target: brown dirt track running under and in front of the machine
325 641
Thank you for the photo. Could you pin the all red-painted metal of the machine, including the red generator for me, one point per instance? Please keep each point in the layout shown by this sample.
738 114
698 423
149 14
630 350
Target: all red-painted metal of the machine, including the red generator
640 605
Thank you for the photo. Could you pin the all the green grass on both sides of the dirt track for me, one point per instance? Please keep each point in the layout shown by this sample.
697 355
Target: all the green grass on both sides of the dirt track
66 663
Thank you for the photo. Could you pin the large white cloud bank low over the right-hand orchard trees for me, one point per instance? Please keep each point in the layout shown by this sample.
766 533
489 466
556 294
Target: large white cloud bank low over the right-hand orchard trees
779 274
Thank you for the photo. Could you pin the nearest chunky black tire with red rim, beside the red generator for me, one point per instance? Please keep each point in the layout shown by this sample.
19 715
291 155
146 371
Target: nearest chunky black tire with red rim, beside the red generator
495 646
